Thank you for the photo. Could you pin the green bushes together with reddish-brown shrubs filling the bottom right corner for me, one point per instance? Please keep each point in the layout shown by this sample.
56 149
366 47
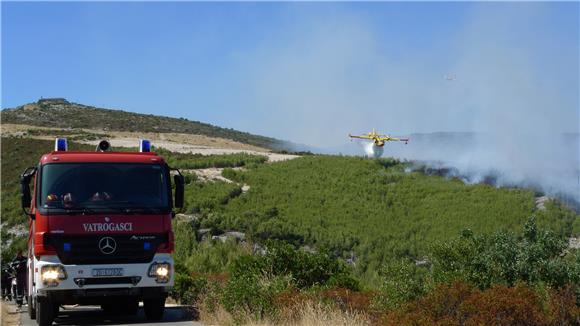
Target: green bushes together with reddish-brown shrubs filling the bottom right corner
527 279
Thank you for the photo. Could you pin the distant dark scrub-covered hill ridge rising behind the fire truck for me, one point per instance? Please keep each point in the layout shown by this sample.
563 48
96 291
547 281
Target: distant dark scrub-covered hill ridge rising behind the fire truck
60 113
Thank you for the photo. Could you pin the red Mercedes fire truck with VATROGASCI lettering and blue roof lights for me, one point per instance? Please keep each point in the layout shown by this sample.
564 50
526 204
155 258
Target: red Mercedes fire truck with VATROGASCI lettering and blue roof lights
100 230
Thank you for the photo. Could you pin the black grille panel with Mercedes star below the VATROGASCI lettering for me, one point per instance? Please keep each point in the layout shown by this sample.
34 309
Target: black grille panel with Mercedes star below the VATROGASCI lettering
105 248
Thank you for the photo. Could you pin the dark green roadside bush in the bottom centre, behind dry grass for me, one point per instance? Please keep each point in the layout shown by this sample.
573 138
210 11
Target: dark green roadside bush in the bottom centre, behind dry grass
255 282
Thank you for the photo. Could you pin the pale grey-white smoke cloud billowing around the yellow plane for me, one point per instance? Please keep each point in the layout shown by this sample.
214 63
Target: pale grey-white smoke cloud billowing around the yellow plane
512 109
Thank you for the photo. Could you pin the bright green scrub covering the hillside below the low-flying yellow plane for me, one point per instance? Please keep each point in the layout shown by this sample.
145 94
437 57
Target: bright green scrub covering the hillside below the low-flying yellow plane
368 210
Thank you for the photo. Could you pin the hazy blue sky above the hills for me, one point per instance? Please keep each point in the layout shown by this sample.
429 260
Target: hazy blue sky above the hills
303 71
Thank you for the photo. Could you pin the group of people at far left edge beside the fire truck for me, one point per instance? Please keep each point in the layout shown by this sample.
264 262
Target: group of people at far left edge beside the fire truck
14 279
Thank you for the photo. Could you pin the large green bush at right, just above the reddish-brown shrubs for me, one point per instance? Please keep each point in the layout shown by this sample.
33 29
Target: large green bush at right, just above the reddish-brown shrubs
506 258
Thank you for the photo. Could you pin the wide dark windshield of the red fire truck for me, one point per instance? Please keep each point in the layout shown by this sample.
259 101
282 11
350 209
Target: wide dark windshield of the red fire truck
109 186
